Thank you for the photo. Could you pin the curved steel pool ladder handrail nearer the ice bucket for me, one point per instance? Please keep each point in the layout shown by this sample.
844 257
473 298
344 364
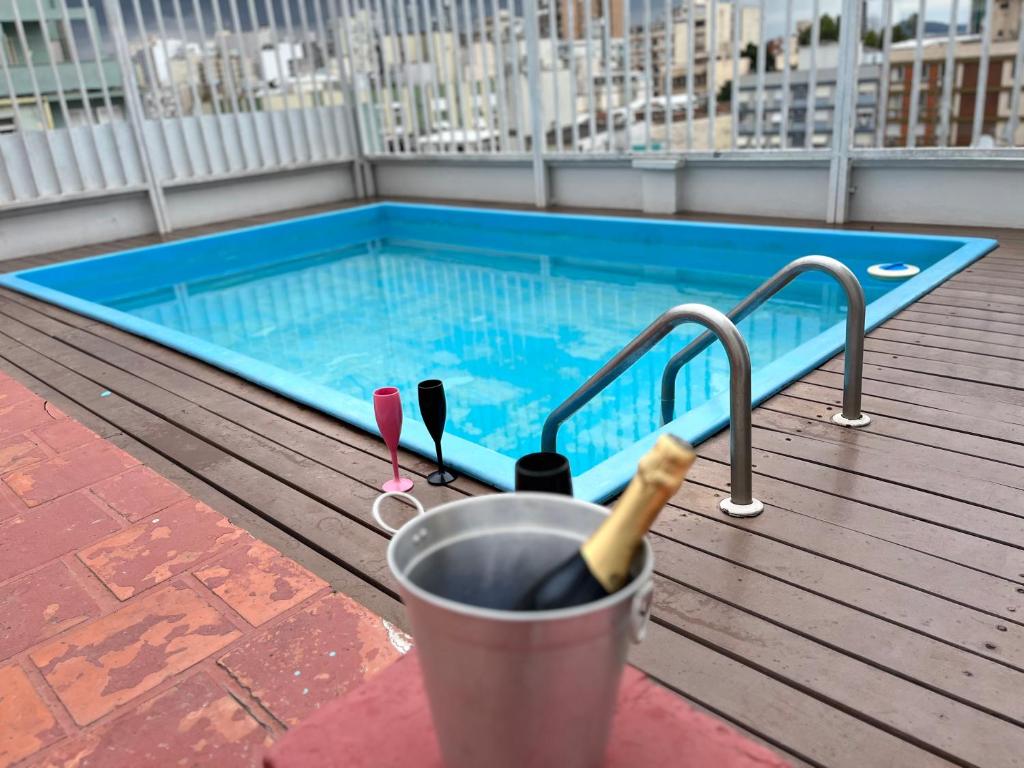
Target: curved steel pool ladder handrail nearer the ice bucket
742 503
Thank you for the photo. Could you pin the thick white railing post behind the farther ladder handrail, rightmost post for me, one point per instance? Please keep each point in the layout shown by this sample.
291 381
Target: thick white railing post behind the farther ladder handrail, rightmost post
846 96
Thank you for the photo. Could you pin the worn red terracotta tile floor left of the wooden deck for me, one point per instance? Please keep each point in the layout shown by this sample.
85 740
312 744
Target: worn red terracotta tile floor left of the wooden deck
139 626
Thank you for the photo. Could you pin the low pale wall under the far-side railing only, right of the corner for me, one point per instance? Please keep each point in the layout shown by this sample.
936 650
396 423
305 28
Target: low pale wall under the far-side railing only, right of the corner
970 192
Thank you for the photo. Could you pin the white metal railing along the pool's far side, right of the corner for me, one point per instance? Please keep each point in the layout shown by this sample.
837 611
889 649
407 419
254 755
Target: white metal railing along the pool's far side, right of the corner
696 76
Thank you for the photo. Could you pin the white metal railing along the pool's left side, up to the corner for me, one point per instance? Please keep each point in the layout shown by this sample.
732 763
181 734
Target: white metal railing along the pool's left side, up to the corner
105 97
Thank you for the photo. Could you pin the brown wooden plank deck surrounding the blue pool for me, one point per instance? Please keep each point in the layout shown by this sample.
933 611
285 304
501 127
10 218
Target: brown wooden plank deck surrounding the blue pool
874 615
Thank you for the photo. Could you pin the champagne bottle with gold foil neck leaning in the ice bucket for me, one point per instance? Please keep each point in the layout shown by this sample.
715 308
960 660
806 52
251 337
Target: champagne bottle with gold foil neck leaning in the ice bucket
603 565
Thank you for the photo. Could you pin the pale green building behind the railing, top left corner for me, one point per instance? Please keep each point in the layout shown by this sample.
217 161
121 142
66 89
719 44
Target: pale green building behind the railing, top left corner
36 66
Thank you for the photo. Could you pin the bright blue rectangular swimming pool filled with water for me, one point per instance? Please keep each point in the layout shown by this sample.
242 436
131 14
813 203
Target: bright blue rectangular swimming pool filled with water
513 311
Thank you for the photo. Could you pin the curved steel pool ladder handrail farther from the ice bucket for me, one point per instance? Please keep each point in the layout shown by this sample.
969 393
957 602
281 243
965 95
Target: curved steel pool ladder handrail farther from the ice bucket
854 367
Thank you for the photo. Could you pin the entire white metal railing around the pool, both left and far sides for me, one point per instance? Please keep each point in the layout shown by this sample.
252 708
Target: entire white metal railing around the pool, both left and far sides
100 97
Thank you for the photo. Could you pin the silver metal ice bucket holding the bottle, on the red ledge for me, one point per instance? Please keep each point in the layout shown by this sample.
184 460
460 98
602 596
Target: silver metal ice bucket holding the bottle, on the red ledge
515 690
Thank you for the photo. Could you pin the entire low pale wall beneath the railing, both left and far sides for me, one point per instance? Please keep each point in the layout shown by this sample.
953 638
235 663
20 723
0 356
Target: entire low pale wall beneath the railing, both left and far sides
968 192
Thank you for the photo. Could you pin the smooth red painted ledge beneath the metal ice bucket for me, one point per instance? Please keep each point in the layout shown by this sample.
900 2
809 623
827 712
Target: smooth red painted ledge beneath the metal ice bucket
387 723
